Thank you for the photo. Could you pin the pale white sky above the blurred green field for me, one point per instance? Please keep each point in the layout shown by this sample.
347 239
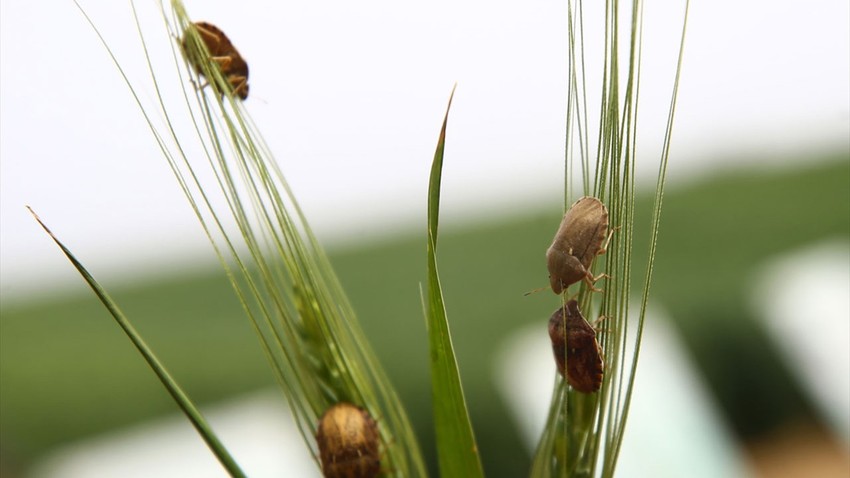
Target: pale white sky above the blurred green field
350 96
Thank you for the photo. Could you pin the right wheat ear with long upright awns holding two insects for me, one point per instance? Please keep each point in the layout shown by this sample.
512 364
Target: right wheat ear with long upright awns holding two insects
584 432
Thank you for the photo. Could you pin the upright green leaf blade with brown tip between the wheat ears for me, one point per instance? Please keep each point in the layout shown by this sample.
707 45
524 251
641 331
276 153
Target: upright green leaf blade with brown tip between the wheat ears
456 448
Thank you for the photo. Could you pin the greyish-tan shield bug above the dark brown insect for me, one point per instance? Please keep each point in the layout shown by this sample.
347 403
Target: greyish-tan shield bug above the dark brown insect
578 241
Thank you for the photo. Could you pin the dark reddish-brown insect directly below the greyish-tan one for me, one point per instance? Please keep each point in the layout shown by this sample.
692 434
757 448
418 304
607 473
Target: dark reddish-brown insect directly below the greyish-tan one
578 343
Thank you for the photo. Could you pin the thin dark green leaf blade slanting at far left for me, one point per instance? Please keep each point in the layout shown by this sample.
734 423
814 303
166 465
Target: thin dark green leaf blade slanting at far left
189 408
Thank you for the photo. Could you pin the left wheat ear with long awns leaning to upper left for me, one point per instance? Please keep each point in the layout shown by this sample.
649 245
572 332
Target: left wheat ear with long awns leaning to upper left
280 273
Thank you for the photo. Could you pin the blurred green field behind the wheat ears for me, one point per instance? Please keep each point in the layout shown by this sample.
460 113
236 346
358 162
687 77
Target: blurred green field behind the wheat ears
67 371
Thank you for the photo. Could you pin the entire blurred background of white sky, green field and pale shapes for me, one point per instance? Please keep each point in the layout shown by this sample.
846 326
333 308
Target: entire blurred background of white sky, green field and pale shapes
746 361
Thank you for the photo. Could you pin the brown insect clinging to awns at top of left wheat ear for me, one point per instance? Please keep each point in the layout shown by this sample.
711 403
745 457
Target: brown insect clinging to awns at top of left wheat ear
233 66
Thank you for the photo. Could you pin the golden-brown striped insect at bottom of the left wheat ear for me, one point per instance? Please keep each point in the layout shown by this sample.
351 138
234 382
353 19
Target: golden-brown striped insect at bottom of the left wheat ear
348 442
